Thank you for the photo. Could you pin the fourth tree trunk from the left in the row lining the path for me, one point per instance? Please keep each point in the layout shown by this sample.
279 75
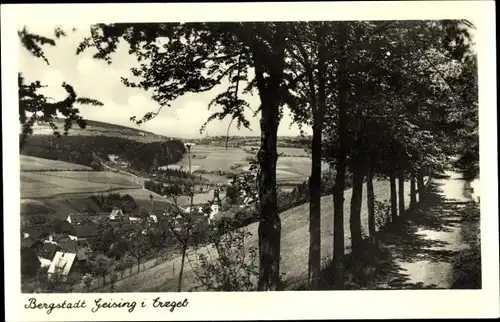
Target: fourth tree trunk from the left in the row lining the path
356 200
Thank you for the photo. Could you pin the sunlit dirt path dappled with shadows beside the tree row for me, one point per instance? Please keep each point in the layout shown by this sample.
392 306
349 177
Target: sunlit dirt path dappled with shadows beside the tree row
420 256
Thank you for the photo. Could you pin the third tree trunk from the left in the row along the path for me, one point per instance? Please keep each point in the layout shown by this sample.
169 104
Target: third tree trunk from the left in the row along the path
339 185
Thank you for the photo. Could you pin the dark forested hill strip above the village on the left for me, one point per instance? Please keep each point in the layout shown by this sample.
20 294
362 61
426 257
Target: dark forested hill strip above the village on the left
83 150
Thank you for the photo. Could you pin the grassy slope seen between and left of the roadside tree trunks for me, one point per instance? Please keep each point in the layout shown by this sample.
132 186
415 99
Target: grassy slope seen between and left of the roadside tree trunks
294 245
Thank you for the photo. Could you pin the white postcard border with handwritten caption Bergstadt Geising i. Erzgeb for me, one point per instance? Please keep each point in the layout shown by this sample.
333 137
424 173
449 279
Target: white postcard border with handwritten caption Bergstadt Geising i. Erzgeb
270 305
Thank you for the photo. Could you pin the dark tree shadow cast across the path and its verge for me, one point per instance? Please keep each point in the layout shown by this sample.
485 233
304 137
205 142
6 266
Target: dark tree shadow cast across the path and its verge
414 238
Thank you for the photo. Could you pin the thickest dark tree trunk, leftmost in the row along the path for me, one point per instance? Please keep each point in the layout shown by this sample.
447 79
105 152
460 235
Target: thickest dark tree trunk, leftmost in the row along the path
270 96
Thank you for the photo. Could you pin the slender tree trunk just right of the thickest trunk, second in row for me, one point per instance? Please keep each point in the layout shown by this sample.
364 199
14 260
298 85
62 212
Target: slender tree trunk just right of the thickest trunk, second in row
315 179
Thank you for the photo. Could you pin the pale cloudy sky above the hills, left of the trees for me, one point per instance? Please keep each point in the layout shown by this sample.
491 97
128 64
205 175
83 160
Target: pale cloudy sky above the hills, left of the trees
96 79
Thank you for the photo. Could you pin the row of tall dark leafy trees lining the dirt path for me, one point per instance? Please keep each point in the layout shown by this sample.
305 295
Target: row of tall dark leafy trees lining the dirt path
382 98
